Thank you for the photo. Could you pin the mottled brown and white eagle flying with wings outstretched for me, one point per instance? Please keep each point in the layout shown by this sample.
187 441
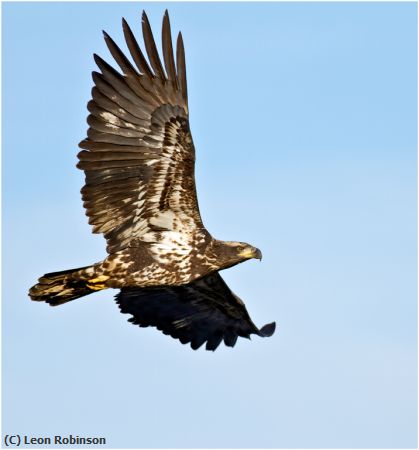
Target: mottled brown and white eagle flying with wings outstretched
139 192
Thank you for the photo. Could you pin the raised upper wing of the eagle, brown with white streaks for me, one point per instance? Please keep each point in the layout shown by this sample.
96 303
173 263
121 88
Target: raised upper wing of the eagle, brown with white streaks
139 156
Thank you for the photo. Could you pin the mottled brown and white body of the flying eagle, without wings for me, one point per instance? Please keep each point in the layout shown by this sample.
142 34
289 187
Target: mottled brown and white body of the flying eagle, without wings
162 258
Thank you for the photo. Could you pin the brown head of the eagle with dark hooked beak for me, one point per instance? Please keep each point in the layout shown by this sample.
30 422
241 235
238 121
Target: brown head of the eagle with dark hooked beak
229 253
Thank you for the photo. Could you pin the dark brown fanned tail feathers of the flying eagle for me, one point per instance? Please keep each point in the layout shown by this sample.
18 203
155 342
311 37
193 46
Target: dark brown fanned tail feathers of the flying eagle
57 288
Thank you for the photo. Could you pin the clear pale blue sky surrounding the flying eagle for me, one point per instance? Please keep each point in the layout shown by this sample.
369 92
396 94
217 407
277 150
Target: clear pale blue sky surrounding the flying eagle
304 119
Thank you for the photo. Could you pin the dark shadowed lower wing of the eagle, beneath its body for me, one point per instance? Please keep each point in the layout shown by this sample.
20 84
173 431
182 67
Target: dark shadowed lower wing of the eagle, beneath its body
205 310
